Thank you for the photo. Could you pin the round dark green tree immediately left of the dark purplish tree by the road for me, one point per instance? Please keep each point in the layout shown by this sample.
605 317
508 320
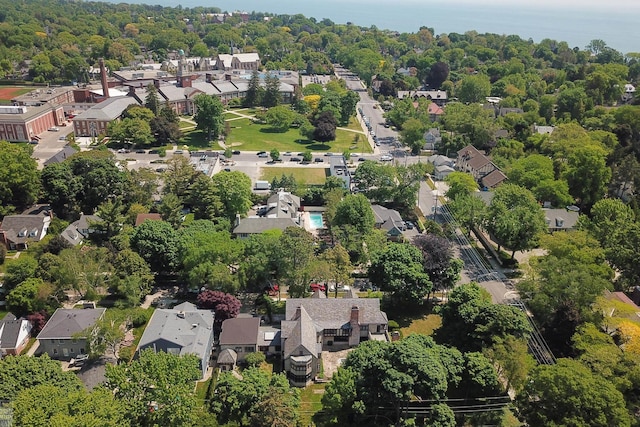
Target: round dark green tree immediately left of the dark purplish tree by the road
398 270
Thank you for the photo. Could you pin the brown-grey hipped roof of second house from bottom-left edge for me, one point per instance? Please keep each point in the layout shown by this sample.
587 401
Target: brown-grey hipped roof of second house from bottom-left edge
65 323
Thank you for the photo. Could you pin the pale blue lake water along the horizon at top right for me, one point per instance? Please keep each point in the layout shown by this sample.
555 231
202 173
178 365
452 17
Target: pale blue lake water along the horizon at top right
617 22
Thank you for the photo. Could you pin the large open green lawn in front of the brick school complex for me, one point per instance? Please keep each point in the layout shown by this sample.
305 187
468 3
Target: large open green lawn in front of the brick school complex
249 136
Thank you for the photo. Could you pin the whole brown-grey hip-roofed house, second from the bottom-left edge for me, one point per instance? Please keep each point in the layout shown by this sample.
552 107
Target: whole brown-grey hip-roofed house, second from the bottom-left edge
59 337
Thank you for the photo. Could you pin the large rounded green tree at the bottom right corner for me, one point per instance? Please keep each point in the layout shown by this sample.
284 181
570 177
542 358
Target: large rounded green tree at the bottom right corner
569 394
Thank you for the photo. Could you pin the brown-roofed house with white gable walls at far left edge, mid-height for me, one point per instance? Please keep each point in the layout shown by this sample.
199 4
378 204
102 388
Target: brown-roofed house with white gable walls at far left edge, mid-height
17 231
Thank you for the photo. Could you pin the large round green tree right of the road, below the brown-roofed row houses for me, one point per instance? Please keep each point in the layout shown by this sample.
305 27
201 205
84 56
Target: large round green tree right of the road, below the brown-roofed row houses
515 218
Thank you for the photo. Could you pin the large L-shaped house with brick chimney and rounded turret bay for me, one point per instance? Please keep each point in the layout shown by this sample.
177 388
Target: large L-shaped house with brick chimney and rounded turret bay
314 325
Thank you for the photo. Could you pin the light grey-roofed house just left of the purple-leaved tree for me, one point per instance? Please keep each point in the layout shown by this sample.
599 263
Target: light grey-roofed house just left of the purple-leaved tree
182 330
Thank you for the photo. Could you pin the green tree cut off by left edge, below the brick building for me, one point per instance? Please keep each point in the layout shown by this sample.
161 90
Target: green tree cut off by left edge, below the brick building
19 178
